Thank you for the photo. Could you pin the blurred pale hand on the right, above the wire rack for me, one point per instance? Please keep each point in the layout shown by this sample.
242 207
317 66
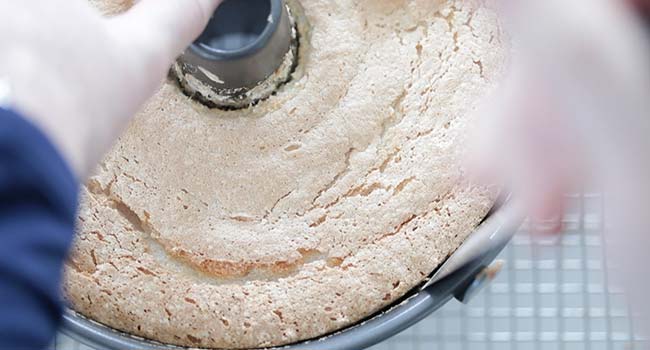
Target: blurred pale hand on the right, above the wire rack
574 107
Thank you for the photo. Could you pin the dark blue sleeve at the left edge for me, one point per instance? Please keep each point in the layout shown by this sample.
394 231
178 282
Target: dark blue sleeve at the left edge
38 199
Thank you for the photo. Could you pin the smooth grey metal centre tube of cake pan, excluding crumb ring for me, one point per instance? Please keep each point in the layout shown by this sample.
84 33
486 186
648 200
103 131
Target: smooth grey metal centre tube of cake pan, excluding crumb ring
219 49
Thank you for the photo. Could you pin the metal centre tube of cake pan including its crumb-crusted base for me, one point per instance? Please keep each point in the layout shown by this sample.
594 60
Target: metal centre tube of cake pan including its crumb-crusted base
247 51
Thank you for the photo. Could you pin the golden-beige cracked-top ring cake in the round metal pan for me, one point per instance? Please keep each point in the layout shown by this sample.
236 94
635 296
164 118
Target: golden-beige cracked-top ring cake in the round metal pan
307 212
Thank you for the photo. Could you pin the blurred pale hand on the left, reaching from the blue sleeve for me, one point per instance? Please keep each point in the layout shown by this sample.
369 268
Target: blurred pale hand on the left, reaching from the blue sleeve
81 77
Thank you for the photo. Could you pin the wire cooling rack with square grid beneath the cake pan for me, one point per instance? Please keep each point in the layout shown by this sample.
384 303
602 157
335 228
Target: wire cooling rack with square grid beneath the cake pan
551 294
